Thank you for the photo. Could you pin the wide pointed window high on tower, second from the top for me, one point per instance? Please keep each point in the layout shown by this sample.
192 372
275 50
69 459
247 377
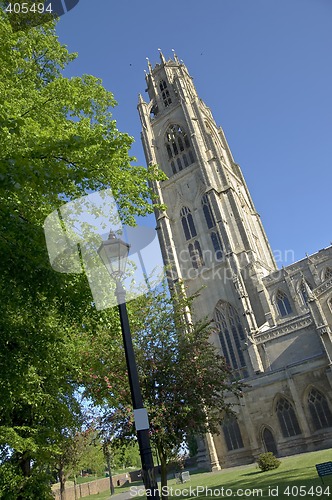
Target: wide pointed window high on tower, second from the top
179 148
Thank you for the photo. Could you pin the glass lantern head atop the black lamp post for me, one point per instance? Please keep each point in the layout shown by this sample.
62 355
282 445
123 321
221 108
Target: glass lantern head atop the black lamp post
114 252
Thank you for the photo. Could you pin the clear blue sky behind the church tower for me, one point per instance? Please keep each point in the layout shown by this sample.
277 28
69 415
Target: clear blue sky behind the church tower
263 67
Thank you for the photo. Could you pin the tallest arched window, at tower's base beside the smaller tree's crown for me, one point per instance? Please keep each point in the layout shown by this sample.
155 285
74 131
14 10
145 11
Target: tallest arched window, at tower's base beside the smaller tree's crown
230 334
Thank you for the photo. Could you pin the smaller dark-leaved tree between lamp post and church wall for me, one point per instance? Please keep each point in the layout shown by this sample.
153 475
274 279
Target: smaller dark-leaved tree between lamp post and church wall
183 378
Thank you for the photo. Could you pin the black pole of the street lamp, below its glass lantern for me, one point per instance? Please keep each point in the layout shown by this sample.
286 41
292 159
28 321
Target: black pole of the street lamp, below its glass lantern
143 437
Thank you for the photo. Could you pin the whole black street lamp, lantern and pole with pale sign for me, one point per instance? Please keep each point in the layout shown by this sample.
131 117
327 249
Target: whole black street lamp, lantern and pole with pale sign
114 253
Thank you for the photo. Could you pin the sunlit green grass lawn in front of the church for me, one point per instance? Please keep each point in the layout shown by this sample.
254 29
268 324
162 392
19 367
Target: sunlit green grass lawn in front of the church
283 483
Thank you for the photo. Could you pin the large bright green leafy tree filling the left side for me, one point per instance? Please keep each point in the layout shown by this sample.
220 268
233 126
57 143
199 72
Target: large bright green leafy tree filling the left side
58 141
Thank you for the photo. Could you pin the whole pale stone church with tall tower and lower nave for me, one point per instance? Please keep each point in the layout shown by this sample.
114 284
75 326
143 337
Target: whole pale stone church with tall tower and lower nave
273 326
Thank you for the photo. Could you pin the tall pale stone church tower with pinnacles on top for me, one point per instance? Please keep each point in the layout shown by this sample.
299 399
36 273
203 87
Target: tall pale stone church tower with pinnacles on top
210 234
